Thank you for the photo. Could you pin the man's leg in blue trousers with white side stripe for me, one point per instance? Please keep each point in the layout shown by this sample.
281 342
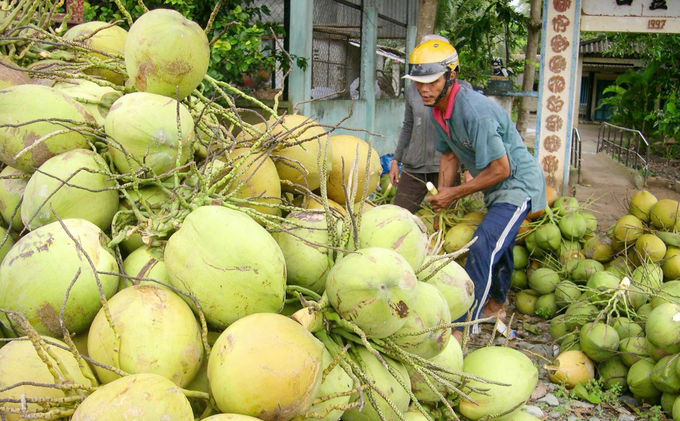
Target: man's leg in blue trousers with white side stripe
495 234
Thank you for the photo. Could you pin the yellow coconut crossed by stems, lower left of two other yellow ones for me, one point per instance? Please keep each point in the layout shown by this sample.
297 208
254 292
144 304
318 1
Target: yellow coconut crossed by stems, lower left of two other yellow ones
257 181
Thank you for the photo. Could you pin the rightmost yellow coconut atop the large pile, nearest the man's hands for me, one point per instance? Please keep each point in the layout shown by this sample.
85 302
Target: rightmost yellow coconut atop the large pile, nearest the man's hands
345 148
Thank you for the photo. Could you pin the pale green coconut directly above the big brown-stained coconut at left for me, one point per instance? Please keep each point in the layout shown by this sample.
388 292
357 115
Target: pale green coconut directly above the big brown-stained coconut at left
90 193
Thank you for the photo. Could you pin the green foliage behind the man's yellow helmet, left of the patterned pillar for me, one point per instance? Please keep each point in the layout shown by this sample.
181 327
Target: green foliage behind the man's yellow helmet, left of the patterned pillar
477 28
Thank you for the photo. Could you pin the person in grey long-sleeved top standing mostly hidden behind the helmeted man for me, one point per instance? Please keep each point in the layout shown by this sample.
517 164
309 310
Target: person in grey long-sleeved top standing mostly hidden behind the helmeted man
416 149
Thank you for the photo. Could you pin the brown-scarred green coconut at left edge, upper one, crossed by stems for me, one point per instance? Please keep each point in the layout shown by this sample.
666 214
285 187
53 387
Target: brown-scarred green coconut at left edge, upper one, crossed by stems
26 103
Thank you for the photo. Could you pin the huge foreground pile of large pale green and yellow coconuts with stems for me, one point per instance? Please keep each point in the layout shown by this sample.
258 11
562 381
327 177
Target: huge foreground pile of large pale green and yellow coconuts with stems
163 257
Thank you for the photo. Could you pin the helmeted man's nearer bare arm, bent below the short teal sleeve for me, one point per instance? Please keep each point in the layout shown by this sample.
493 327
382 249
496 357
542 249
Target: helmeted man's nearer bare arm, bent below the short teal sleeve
497 171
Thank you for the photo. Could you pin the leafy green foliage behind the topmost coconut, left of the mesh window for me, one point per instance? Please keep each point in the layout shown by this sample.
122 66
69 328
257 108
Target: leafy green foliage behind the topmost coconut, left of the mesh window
236 34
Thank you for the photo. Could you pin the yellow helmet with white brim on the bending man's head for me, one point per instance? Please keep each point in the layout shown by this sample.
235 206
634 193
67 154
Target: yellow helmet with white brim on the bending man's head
430 60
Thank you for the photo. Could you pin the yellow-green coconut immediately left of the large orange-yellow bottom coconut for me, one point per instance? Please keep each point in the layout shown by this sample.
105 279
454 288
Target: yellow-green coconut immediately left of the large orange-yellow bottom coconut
142 342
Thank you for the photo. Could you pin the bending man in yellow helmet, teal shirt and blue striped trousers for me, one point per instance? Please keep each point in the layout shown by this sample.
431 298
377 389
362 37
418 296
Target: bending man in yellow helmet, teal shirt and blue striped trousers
473 130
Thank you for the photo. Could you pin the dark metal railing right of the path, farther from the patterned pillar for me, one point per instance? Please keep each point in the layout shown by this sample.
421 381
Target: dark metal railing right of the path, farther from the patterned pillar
625 145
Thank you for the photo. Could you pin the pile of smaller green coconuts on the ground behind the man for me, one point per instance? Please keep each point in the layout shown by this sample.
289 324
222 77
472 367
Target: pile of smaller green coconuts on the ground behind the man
613 299
